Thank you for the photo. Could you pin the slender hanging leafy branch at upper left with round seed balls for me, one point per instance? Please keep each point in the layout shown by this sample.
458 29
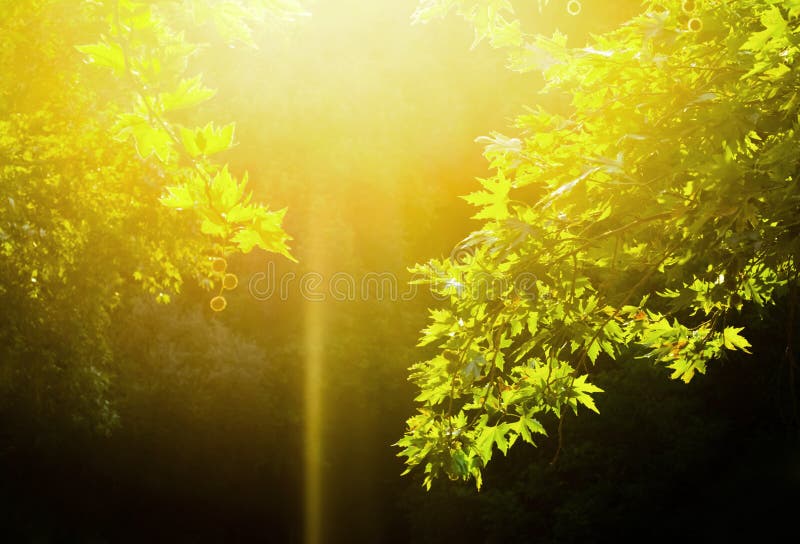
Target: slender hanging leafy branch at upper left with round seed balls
147 45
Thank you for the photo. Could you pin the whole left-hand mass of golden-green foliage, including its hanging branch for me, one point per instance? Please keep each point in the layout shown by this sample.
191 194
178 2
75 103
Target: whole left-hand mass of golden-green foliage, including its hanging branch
80 219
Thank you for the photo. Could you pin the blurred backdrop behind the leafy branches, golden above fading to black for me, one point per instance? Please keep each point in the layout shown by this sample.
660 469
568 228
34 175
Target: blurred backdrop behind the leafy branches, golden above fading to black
122 419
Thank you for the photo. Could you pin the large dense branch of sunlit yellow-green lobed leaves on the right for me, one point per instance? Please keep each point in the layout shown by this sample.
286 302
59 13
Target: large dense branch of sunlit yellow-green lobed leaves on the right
639 223
